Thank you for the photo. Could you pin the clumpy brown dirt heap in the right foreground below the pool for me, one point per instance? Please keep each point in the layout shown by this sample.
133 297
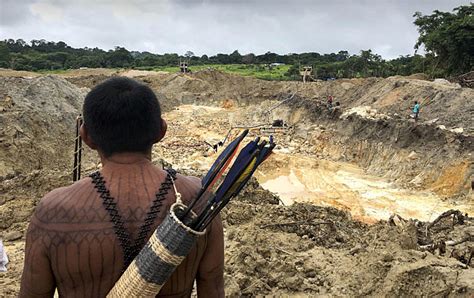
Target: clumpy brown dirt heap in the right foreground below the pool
310 250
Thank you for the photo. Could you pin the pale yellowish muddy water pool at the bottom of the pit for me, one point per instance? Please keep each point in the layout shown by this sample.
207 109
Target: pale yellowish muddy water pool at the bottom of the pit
346 186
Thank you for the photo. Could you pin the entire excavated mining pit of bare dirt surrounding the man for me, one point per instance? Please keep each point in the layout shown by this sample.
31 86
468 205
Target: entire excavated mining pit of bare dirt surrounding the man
337 178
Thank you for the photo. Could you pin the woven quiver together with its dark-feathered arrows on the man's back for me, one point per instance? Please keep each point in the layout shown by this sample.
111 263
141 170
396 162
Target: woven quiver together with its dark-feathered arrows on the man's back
174 238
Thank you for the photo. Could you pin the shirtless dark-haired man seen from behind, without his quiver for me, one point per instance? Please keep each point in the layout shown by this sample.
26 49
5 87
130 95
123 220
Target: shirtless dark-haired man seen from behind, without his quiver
71 243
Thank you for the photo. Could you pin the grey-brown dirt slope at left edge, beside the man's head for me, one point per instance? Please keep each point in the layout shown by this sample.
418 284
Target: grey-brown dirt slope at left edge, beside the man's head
37 123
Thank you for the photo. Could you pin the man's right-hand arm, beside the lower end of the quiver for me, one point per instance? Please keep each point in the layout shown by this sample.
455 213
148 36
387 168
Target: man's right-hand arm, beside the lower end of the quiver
210 277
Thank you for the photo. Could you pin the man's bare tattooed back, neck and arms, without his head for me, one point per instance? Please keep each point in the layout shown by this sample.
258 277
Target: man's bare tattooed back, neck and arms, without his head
71 242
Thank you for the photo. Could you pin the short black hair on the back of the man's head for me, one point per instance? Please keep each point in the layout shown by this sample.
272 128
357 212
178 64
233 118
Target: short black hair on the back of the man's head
122 115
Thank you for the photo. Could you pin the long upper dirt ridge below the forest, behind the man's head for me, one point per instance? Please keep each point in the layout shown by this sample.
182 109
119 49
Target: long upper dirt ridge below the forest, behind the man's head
442 102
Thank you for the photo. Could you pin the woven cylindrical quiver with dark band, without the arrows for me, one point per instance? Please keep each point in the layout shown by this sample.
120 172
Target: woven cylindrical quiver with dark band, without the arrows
164 251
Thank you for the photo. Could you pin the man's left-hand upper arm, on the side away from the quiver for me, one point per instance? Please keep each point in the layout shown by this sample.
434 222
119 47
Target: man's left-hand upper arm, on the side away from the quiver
37 279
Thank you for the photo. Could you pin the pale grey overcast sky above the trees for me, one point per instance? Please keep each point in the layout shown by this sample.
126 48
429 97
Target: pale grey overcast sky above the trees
222 26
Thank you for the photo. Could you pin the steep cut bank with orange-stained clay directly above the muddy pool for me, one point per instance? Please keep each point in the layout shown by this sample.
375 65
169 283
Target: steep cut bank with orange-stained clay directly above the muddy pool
419 155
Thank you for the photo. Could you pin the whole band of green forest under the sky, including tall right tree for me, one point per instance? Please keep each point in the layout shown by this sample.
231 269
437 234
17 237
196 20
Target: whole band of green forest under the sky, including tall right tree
447 39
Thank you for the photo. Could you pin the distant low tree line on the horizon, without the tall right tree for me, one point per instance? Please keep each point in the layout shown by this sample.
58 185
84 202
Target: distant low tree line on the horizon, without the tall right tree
49 55
